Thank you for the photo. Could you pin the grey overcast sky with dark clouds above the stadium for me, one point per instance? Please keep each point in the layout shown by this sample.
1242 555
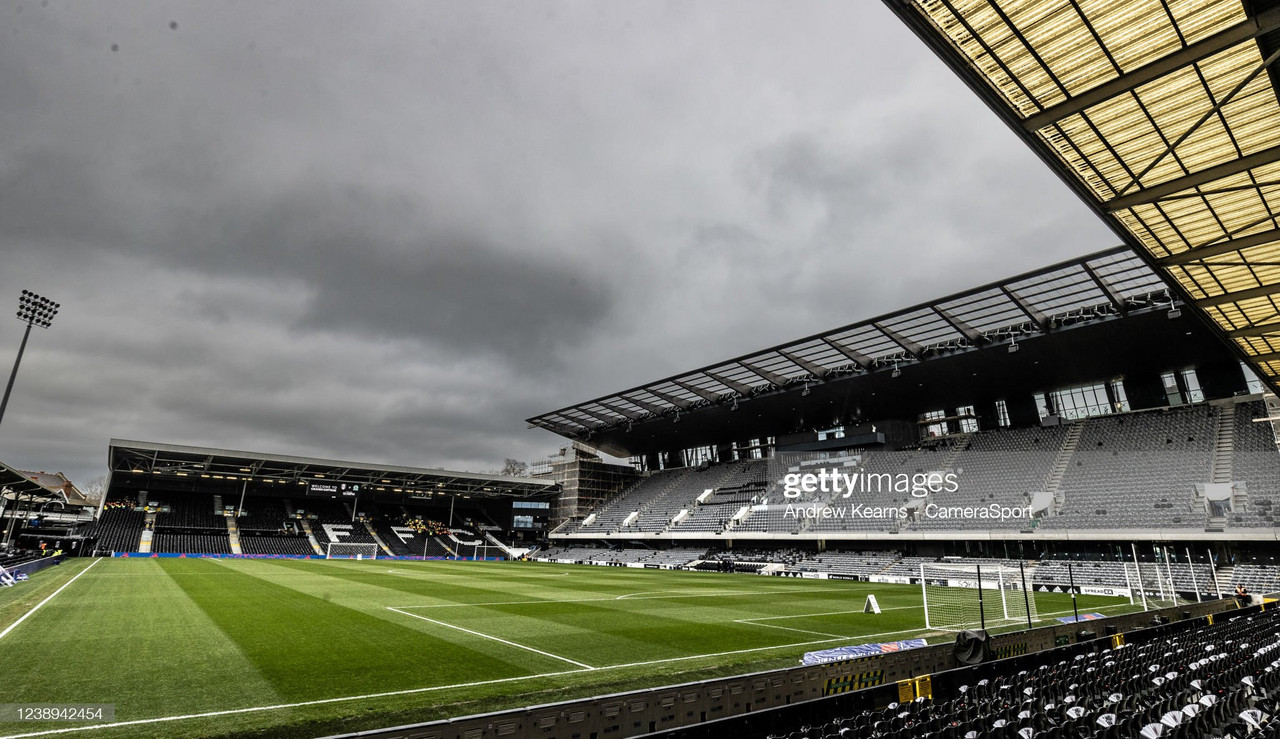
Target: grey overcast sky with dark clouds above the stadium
394 231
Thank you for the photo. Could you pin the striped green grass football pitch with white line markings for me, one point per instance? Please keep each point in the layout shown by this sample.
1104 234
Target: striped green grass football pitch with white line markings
190 647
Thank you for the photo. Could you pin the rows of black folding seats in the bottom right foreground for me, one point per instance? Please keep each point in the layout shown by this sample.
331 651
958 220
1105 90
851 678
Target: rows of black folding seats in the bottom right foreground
1213 681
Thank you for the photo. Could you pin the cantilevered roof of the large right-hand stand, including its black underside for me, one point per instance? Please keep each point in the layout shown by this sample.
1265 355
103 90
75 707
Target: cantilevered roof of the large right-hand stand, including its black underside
939 346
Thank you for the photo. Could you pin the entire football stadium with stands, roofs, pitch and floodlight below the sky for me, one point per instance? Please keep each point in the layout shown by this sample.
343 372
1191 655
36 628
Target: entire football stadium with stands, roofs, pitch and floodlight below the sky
1043 507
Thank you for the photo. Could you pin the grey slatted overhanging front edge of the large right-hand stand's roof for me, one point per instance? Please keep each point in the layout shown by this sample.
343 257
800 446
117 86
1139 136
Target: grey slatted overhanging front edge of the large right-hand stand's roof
1091 289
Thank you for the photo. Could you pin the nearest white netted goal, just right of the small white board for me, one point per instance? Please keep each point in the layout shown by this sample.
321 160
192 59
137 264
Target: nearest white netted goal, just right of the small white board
959 597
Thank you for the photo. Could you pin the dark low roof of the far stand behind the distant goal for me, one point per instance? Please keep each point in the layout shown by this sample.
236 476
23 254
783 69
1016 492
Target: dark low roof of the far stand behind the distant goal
212 468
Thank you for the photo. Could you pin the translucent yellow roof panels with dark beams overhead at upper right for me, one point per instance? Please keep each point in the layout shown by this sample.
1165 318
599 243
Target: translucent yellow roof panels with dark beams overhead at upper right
1162 116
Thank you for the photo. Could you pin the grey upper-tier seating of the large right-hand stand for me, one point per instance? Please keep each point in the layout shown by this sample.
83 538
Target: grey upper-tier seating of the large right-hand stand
1126 471
